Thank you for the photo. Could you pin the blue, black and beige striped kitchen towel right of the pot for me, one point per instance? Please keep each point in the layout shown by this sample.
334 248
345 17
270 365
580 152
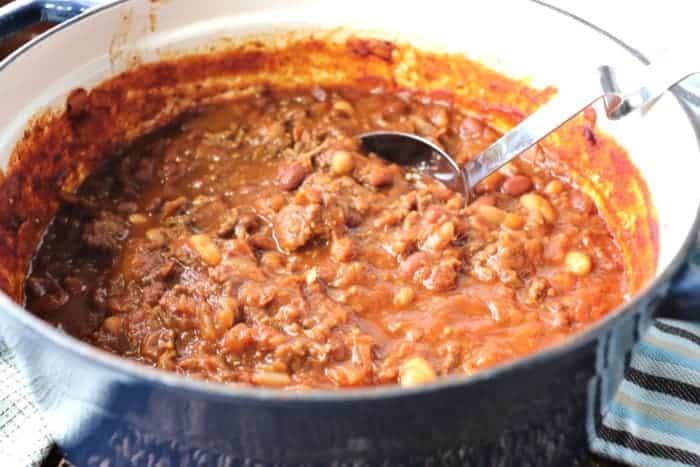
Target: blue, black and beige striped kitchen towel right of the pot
653 418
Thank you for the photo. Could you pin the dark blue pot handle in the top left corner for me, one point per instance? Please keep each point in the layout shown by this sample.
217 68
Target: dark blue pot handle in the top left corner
20 14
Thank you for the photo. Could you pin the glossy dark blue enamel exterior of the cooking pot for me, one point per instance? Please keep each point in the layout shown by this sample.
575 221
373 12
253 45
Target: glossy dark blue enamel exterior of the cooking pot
535 411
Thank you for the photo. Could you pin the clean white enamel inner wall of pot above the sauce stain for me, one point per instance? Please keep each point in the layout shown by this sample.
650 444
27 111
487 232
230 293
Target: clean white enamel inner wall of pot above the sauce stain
521 39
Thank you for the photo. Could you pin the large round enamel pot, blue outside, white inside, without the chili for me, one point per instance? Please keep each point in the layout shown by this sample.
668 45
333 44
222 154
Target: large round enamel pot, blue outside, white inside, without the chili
103 410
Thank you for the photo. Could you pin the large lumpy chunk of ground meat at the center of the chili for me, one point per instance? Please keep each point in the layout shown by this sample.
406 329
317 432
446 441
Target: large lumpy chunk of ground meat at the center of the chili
294 225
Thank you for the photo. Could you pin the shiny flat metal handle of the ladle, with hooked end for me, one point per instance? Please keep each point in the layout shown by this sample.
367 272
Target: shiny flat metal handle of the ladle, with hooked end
653 82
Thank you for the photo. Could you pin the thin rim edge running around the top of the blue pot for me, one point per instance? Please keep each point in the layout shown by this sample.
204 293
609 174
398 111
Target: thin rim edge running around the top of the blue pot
175 382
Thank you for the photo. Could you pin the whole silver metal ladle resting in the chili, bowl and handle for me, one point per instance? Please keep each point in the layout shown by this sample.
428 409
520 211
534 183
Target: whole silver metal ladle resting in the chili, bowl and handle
410 150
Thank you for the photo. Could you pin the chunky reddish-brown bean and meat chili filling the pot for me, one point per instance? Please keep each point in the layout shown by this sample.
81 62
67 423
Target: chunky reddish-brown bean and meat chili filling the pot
254 243
